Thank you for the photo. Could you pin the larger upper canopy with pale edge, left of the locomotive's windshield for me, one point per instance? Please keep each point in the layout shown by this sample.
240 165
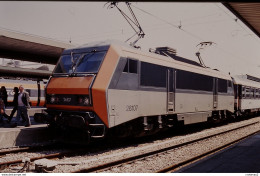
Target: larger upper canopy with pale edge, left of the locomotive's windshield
14 45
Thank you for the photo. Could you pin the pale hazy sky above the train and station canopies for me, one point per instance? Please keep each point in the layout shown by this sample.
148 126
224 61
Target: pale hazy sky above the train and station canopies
181 26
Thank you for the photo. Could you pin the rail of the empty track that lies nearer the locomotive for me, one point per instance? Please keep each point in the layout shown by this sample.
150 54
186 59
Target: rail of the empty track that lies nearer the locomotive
130 159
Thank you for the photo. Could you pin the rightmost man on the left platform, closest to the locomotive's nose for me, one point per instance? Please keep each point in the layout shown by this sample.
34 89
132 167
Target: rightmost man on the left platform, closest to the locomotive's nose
23 106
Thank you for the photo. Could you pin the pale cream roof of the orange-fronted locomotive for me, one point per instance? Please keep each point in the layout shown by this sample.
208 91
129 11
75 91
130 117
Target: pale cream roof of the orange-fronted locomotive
126 50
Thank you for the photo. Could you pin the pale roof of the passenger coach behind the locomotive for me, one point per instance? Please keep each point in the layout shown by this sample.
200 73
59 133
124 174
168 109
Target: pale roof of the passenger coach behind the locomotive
246 80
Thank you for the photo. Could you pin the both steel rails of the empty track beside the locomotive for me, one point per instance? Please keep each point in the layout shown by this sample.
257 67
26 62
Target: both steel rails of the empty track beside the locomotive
145 156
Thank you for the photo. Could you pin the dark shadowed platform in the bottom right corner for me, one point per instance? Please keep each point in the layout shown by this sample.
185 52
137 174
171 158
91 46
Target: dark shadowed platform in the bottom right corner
243 157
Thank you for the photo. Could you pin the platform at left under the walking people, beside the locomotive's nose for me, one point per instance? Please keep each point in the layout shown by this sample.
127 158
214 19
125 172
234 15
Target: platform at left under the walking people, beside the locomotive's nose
21 135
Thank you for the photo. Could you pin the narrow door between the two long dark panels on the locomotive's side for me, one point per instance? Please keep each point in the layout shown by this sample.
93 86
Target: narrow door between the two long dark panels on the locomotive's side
170 91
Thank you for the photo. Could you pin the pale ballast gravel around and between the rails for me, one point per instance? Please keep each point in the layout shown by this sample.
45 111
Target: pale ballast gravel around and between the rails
154 163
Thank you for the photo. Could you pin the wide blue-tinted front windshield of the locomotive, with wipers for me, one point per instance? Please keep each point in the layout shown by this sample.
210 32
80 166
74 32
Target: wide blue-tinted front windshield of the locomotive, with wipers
79 63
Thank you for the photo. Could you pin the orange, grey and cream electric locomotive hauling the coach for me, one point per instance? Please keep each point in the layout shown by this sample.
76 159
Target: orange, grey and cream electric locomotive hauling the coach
112 88
